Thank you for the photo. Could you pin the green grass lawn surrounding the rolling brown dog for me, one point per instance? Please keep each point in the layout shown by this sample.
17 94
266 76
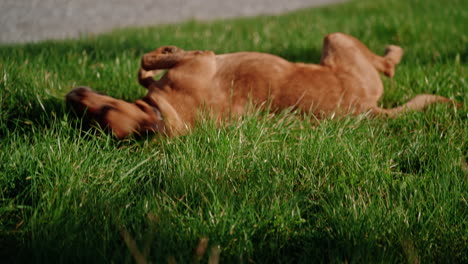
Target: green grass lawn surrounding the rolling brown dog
265 189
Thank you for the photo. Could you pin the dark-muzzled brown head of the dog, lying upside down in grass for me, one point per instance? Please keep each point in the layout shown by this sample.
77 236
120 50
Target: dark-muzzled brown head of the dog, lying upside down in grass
121 117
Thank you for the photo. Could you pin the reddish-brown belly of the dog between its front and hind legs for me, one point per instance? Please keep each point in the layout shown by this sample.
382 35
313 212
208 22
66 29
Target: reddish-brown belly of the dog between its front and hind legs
263 78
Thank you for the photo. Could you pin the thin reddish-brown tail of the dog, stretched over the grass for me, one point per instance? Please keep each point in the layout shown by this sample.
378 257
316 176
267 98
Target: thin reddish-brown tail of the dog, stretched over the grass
419 102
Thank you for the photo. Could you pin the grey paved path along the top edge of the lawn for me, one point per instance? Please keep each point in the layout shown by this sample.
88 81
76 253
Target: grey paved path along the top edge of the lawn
35 20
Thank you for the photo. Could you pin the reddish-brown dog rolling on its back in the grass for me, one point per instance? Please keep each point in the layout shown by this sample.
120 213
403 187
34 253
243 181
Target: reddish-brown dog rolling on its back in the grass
347 81
